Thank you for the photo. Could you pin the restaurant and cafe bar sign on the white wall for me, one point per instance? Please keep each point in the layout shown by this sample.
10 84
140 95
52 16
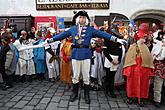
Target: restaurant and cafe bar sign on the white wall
71 4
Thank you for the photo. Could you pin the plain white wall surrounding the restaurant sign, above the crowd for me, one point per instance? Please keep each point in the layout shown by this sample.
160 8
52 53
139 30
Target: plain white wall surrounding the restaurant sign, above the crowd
126 7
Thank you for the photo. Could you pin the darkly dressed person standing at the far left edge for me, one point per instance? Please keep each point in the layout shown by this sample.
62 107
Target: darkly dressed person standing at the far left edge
7 61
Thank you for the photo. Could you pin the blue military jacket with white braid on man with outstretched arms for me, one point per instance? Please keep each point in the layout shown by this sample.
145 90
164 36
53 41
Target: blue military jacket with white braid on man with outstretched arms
84 39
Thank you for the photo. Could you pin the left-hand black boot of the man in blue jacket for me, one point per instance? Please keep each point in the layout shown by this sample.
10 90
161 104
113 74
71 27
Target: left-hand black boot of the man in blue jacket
75 92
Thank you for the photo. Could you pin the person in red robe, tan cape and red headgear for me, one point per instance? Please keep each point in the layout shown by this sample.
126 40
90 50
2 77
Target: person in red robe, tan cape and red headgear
138 67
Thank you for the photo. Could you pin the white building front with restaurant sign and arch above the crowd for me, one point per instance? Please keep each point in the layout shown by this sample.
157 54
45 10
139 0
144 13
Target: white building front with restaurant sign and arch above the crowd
152 10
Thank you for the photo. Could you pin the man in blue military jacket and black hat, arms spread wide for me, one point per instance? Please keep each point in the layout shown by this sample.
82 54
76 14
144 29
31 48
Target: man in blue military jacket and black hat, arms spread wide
81 52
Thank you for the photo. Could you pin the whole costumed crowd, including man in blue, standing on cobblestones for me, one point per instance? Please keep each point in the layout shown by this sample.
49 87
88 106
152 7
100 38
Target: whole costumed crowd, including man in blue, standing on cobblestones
100 57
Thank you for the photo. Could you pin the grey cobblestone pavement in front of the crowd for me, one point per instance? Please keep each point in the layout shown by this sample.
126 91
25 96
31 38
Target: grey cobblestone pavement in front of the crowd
44 95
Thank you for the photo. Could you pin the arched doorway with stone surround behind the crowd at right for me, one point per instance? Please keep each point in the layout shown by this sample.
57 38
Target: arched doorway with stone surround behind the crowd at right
150 16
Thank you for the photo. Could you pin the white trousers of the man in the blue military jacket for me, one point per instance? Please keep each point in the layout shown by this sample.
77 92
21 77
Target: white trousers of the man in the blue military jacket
81 66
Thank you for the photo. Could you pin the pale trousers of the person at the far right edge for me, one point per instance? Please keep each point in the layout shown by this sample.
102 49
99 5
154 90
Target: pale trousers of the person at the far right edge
158 83
